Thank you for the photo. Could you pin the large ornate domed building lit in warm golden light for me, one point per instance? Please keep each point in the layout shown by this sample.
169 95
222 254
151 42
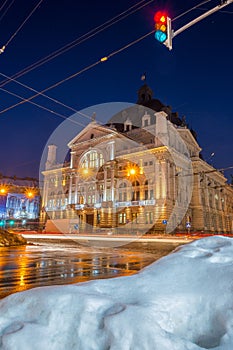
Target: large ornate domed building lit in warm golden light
123 175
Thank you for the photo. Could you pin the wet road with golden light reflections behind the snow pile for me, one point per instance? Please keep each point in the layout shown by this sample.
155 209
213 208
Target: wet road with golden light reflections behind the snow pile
23 268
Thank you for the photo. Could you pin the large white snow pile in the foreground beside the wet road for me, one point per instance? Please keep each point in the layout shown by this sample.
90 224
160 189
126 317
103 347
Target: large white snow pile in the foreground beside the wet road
184 301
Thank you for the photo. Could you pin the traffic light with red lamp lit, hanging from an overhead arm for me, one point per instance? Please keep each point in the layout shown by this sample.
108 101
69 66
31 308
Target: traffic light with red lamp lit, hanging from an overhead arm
163 31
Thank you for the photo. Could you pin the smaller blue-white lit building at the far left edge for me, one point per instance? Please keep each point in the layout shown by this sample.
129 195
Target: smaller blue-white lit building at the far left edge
19 201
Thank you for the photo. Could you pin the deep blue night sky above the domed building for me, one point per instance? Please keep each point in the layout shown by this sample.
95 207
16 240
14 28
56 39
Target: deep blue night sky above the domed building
195 78
